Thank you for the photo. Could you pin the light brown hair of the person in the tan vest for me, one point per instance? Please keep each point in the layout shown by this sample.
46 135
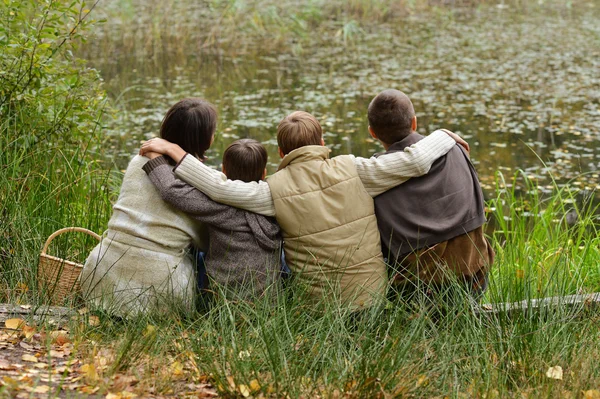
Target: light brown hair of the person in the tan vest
298 129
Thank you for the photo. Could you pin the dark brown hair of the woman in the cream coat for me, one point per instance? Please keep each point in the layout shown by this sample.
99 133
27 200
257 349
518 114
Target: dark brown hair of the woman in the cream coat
191 124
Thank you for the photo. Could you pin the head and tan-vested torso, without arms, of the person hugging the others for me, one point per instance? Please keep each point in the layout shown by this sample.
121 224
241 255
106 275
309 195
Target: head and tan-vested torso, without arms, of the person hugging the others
331 240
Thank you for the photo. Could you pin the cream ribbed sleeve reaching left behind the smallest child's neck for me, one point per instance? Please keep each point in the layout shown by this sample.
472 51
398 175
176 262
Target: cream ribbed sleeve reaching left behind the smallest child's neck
254 197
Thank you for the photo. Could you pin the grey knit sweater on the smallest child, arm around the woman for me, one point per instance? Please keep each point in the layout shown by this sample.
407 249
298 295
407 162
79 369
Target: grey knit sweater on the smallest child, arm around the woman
244 247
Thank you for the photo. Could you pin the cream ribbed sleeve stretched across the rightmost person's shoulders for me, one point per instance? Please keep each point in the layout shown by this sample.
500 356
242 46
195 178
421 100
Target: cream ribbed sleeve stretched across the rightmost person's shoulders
387 171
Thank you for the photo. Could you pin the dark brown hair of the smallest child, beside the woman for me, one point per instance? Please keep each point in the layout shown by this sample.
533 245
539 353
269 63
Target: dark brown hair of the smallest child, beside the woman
245 160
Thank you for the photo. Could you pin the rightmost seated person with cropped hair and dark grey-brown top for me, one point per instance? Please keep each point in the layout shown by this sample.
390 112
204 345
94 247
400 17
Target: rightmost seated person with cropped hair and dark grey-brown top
431 226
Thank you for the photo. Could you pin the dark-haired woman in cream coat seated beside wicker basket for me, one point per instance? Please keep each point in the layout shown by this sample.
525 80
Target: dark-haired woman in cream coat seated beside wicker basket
143 262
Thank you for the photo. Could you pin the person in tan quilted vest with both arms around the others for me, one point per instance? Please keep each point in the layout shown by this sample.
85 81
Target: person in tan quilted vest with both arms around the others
324 206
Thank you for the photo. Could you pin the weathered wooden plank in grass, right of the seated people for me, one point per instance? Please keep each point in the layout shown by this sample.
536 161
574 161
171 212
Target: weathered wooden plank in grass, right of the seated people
569 301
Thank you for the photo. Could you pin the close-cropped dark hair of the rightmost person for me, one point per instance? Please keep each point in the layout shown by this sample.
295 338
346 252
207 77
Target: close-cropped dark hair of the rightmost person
390 116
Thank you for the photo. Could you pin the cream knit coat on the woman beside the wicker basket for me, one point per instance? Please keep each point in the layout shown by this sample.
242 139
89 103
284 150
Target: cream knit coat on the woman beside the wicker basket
142 257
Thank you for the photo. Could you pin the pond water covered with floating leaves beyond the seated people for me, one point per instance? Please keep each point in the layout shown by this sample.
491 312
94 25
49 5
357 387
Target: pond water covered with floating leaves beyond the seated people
521 84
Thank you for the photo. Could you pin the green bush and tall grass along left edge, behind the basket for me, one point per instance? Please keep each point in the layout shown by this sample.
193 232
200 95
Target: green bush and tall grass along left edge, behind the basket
51 108
